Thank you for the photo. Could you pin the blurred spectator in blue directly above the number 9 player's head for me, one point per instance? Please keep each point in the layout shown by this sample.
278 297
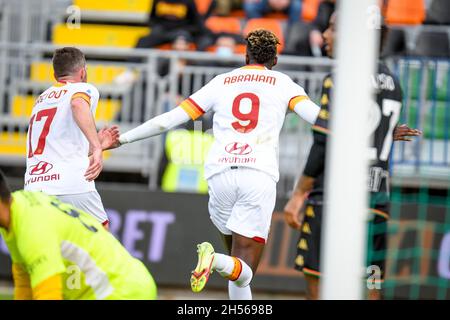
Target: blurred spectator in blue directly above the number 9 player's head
259 8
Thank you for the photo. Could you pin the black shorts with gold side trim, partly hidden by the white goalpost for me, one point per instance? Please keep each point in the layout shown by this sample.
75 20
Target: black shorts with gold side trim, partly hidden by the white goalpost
308 247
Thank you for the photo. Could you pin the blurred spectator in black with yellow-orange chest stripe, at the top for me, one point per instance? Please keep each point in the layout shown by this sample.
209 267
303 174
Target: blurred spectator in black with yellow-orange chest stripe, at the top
170 19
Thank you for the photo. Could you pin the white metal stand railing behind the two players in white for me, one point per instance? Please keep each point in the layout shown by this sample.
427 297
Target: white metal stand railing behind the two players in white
25 71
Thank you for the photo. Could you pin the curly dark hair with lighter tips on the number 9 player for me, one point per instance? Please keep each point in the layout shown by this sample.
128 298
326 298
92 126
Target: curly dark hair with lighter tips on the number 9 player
262 46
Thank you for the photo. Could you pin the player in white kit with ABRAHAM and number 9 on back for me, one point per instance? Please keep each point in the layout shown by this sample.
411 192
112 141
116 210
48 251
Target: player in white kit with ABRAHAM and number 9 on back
250 104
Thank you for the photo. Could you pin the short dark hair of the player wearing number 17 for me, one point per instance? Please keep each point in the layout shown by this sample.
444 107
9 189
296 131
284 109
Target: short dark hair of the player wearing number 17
68 60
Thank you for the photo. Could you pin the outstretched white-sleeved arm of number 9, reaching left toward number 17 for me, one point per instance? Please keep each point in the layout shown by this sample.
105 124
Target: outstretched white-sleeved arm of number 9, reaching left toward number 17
155 126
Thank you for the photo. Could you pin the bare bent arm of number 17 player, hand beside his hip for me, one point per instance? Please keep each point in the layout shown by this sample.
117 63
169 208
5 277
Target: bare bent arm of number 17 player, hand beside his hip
83 117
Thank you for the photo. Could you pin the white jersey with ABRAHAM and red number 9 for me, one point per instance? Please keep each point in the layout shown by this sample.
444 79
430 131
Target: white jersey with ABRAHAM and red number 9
249 104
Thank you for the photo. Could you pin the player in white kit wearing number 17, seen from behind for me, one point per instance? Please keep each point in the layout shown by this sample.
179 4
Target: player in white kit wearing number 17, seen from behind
62 134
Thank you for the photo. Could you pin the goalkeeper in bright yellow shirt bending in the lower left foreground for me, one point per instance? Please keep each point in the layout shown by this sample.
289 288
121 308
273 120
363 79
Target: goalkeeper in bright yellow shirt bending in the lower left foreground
60 252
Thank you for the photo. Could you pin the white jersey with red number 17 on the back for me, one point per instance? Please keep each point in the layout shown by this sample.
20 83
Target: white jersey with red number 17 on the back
57 150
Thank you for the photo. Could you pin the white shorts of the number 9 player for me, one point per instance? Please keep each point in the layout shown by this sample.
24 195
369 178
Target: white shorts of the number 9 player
242 200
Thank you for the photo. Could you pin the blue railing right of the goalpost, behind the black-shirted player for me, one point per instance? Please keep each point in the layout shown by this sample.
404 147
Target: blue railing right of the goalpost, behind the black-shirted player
426 105
